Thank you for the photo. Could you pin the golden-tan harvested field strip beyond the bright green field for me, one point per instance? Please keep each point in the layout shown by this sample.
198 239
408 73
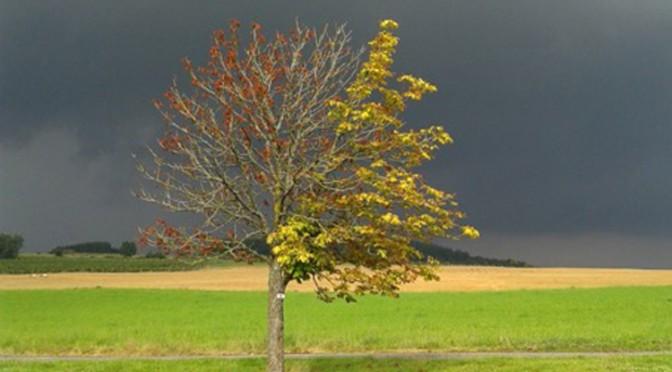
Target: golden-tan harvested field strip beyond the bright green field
251 278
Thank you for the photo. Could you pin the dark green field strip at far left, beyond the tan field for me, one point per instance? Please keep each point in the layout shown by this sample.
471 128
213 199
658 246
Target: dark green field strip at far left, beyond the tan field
43 263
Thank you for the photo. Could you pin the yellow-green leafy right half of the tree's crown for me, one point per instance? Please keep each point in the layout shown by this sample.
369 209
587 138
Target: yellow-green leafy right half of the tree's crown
370 204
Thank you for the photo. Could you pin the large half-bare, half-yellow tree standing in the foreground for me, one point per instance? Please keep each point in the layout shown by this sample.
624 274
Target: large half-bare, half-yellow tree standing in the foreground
294 141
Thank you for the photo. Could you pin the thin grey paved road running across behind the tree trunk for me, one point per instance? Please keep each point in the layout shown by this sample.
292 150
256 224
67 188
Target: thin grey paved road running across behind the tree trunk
403 355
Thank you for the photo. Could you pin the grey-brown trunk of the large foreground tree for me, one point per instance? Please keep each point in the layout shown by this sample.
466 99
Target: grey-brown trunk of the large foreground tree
276 321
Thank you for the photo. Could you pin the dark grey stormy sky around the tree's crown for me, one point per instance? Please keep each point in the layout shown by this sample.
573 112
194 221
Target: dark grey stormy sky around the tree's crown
561 112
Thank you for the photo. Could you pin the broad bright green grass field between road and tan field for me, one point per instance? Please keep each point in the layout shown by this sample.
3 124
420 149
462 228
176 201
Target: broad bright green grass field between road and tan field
143 322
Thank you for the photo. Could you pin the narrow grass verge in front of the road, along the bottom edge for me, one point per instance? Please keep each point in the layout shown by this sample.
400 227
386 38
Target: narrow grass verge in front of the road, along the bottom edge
648 363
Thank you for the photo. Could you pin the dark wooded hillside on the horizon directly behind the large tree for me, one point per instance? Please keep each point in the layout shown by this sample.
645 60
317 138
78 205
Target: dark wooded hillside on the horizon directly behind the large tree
442 254
